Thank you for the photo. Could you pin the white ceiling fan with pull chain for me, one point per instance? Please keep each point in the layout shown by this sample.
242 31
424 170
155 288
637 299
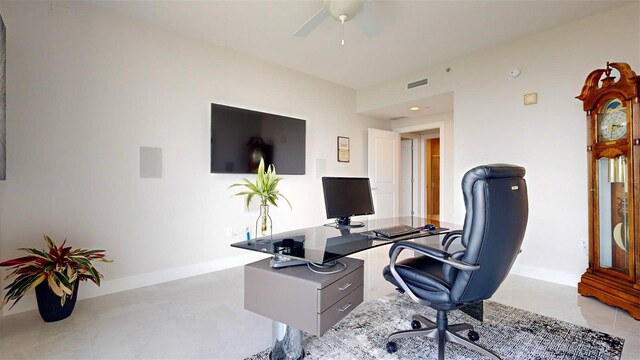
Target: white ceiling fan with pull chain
342 11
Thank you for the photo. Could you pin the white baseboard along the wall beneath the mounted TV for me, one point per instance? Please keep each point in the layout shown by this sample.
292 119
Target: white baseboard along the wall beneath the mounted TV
89 290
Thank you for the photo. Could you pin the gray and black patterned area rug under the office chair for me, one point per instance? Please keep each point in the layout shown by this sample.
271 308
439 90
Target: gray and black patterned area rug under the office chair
511 333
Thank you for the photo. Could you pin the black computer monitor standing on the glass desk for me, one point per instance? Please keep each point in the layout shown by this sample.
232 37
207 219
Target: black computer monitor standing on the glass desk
345 197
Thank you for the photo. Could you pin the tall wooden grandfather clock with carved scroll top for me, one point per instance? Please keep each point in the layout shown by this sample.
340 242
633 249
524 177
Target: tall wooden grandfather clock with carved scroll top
613 153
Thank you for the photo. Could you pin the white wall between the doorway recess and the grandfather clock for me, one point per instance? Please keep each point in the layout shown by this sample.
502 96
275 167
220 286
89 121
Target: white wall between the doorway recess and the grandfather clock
491 124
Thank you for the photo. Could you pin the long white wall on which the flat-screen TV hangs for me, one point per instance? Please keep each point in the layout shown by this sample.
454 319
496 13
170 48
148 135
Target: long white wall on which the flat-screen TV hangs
87 88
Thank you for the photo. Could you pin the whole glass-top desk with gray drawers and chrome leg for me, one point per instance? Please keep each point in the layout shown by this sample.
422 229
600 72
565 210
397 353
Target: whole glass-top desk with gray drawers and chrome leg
318 245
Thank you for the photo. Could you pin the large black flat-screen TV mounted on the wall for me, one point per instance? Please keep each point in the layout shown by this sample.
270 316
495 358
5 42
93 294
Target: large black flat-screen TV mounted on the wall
240 137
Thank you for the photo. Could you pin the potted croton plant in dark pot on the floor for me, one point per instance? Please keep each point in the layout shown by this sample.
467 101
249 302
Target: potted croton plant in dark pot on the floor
55 274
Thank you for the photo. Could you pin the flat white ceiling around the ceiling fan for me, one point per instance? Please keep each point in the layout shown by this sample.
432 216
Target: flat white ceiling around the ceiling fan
415 34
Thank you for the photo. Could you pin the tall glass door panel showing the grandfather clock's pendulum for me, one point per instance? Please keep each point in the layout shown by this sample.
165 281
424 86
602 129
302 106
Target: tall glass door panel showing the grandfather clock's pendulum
613 225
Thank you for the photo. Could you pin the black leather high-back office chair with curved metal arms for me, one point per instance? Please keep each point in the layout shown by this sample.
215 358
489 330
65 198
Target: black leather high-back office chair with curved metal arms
495 198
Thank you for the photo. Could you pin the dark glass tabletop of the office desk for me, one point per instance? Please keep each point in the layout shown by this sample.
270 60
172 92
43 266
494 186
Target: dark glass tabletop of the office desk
326 243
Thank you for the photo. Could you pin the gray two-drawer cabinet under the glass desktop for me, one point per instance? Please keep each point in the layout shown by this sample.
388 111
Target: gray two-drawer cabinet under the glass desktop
301 298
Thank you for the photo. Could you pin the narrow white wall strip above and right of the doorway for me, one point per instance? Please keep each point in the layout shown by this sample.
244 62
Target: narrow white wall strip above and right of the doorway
447 184
